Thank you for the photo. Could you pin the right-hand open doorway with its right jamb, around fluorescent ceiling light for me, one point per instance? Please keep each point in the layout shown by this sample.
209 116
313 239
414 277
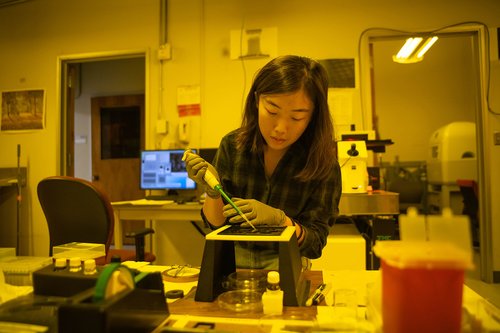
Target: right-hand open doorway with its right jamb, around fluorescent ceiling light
410 101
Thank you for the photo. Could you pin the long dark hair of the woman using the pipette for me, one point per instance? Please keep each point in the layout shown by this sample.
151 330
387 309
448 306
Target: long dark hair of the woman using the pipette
288 74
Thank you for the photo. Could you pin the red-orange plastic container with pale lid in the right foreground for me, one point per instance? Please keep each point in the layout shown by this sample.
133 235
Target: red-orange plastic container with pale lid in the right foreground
422 286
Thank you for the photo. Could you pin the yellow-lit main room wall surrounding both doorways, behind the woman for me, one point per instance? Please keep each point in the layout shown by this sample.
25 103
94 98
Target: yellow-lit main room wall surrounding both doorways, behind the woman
34 34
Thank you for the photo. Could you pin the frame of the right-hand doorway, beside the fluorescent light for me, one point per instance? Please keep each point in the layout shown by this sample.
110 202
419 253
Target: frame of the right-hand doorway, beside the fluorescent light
482 121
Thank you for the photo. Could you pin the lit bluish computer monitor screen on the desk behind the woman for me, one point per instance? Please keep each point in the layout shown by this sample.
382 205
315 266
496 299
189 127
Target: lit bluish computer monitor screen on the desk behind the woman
164 170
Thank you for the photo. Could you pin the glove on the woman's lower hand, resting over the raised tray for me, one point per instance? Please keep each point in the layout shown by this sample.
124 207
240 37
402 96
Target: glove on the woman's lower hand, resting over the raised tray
256 211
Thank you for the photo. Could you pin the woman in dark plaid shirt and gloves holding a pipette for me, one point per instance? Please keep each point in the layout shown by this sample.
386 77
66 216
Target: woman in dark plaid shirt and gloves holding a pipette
280 166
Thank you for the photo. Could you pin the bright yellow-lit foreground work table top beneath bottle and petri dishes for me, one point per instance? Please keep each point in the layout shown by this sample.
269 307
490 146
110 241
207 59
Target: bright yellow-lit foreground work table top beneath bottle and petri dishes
186 313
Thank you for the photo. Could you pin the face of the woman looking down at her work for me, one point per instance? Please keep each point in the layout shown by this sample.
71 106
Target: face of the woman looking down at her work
284 117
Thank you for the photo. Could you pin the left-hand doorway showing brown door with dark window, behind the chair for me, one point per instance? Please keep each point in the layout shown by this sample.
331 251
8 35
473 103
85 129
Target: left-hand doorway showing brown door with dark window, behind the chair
116 84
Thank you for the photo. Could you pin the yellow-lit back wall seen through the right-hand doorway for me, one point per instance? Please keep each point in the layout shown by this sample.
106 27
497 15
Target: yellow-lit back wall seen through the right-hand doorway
414 100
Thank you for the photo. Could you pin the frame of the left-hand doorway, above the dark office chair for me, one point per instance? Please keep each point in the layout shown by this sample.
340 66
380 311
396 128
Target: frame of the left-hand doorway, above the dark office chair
66 136
